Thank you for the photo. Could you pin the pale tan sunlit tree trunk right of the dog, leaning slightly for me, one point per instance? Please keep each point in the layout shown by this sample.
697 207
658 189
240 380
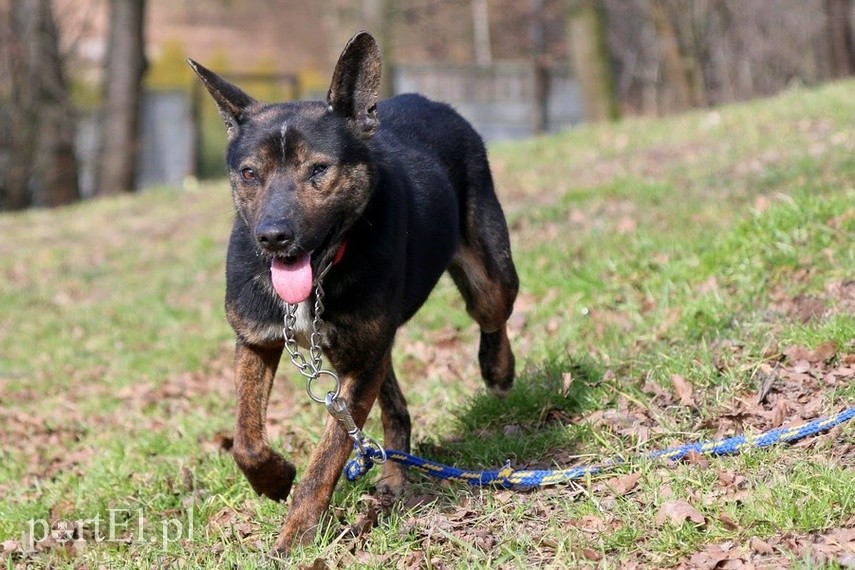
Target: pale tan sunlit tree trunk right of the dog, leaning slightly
586 35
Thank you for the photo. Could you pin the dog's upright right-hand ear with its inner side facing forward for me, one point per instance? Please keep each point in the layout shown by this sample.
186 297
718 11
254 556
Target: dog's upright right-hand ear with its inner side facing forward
356 84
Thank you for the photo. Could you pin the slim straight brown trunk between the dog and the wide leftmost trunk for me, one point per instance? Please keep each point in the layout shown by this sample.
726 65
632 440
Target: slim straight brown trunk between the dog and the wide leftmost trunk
122 93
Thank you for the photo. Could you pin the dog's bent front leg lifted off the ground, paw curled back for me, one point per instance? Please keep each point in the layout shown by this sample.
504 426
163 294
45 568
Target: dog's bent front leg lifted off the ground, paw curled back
267 471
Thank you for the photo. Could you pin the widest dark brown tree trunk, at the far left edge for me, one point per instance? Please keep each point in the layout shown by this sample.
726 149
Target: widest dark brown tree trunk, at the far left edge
42 165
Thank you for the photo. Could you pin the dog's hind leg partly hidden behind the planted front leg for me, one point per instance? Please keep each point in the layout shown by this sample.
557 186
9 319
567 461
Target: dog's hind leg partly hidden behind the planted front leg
396 429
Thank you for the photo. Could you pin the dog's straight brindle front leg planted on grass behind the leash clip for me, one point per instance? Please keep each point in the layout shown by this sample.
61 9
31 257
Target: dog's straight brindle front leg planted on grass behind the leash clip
312 496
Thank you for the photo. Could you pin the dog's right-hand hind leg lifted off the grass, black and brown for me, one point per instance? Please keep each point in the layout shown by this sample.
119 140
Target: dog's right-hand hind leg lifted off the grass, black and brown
484 272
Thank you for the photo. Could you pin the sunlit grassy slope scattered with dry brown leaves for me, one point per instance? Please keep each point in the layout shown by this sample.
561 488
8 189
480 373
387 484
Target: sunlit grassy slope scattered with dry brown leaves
706 246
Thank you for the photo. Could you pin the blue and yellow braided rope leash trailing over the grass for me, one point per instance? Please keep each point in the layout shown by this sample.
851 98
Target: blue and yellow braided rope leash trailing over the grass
511 478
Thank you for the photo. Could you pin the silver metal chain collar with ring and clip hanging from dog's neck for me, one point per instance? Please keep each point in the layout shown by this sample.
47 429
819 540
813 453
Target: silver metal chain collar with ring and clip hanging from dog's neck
312 369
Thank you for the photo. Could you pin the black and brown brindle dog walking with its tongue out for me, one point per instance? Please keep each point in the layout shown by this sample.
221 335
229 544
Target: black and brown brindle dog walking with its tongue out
395 192
